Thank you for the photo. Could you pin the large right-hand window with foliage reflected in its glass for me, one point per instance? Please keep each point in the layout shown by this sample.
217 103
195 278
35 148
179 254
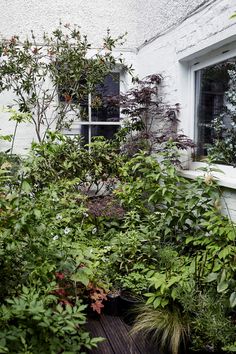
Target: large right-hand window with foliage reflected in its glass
214 82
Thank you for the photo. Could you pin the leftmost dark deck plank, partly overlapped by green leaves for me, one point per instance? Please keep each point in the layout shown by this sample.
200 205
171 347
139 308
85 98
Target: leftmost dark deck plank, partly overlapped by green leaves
96 330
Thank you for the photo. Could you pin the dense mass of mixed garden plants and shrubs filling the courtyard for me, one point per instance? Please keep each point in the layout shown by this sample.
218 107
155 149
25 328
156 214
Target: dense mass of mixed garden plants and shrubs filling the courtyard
77 222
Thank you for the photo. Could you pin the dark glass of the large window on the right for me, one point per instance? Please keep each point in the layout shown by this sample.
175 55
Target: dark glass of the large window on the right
211 86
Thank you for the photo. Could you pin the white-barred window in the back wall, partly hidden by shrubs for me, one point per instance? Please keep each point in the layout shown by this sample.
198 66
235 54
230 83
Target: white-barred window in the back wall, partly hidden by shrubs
97 114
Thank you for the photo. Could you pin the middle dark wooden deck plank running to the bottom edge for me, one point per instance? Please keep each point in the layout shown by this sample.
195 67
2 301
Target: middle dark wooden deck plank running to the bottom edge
117 334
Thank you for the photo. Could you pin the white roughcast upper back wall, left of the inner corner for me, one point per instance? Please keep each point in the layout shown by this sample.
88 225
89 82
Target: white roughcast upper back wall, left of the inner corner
94 17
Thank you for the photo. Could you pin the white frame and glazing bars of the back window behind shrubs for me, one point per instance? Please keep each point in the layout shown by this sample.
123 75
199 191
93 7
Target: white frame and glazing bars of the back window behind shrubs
90 123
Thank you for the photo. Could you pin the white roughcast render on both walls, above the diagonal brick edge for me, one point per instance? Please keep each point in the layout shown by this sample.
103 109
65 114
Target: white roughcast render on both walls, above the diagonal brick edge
94 17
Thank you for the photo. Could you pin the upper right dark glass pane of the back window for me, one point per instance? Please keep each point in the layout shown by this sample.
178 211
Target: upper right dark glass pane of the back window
103 110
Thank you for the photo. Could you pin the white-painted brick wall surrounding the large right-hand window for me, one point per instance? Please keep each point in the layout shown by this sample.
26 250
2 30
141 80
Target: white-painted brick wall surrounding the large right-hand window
203 37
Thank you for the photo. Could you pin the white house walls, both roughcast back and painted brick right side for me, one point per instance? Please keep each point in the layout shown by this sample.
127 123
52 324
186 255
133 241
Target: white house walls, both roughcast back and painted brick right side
164 36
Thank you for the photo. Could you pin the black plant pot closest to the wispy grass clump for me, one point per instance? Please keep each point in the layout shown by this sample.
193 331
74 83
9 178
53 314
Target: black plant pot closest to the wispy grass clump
128 305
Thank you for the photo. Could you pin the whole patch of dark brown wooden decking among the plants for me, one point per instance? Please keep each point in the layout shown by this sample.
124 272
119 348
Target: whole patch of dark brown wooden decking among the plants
118 337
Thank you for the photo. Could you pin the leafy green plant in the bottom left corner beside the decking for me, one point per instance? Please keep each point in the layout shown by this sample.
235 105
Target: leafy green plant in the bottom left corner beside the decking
33 323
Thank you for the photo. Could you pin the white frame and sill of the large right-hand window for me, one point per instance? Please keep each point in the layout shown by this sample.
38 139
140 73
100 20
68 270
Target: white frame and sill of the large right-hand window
228 176
